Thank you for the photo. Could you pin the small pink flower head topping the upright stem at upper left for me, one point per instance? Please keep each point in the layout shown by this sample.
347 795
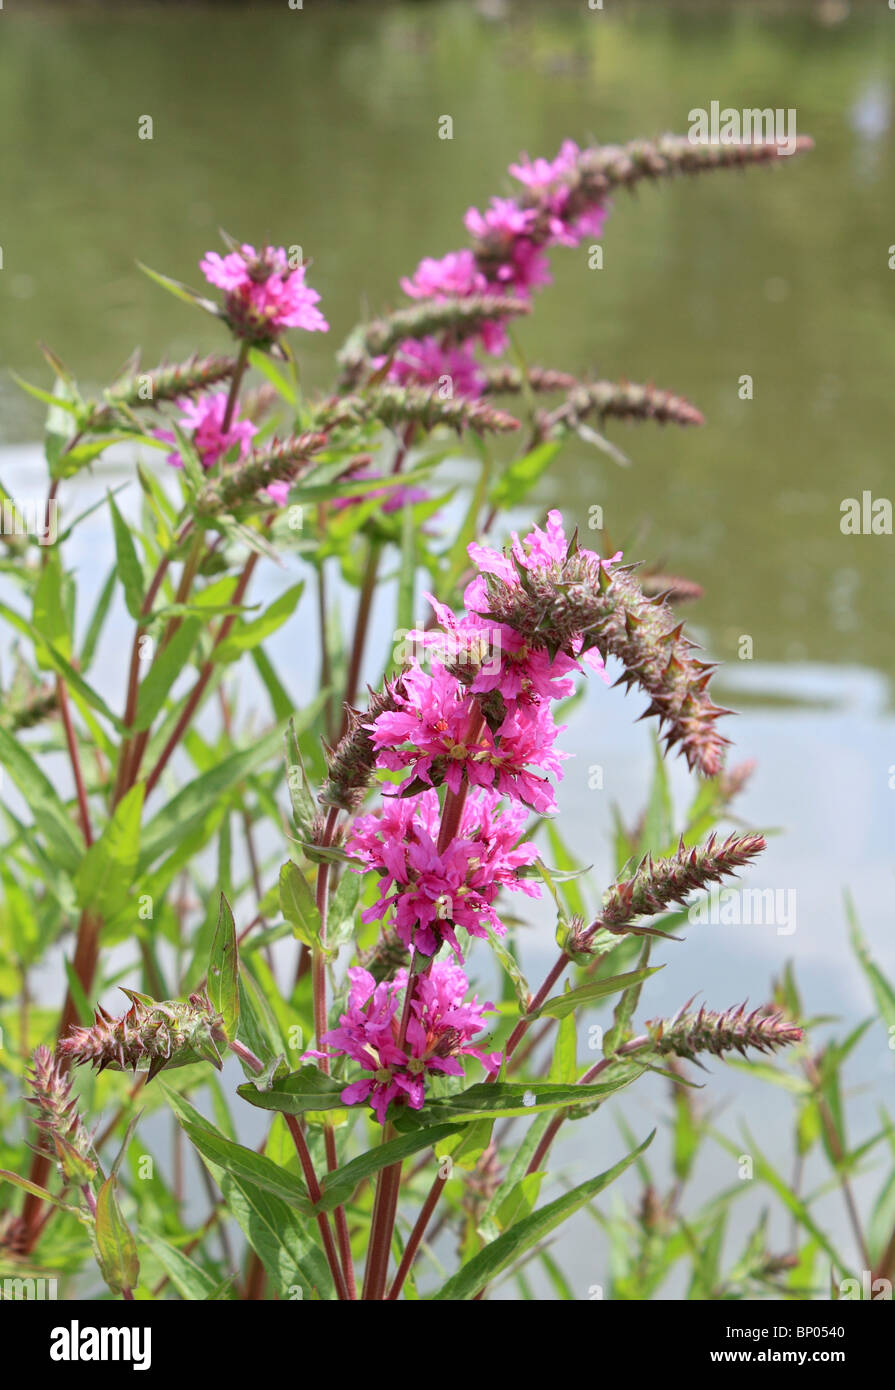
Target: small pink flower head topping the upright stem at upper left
265 293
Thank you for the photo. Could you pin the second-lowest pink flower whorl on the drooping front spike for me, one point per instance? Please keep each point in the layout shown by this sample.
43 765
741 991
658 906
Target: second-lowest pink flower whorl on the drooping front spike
429 894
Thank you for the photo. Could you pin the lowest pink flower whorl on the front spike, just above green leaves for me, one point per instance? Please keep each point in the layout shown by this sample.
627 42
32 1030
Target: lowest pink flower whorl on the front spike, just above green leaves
437 1035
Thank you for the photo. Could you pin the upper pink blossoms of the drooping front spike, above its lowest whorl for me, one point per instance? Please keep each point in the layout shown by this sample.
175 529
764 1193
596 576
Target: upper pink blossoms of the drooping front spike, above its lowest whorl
480 722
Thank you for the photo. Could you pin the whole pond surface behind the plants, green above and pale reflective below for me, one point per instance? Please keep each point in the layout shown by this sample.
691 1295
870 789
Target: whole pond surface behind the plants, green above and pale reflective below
320 127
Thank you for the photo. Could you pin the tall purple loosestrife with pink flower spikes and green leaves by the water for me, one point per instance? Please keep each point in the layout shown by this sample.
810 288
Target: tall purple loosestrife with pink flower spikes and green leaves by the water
423 817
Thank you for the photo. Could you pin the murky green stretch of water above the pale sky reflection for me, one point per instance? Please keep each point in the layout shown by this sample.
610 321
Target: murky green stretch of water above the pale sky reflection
320 127
